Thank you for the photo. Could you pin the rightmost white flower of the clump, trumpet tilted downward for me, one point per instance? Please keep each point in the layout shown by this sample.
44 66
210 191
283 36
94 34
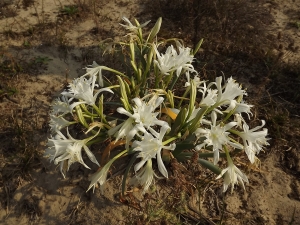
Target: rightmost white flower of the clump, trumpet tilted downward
253 140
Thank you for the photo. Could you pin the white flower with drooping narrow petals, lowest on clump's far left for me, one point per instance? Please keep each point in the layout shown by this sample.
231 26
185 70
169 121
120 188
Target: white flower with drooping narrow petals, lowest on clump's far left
60 149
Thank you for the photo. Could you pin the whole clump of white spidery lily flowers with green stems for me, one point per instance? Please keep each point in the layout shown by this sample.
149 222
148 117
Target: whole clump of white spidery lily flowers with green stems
155 121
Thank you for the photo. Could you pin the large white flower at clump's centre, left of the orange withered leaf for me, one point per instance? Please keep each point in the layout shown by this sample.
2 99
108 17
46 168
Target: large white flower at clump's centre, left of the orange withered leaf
143 118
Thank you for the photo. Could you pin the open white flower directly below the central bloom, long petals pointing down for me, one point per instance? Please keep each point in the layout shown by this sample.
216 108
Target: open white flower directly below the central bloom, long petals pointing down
150 147
